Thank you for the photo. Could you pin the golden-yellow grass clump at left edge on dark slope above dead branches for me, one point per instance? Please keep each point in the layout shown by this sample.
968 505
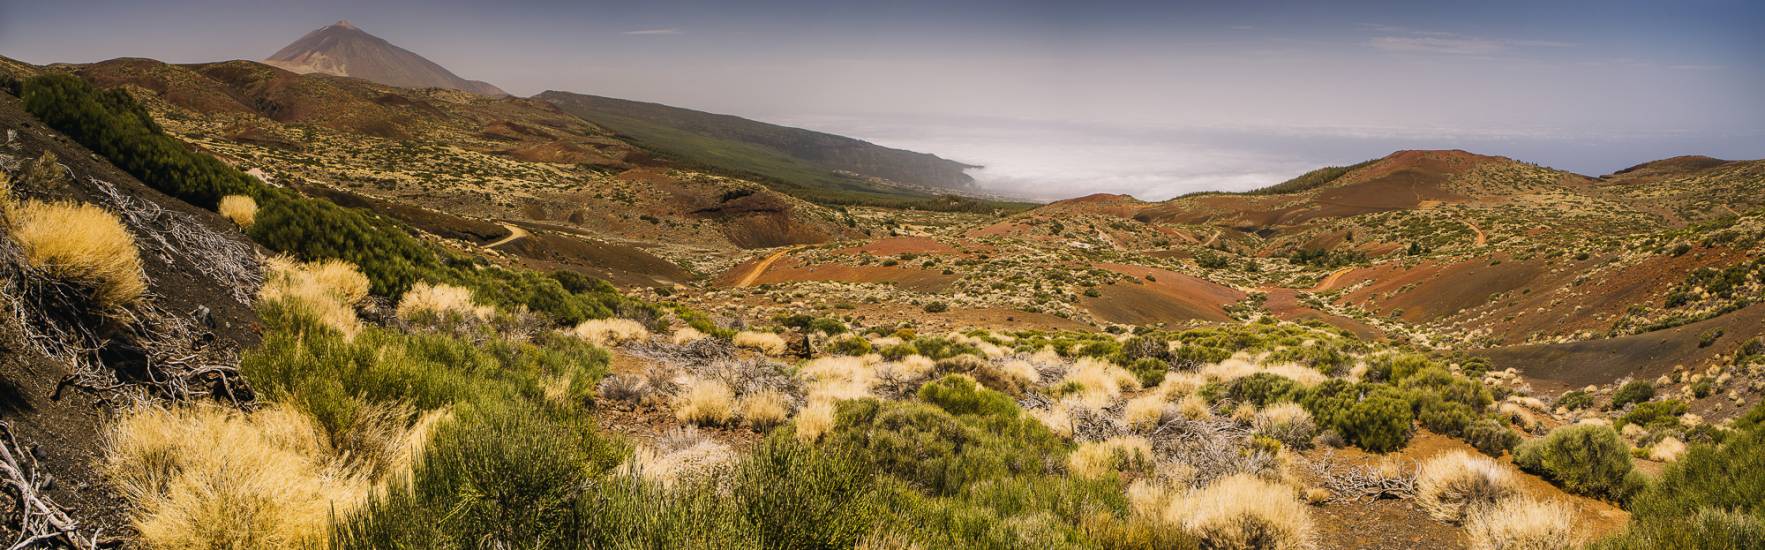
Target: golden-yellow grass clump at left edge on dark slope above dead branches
80 244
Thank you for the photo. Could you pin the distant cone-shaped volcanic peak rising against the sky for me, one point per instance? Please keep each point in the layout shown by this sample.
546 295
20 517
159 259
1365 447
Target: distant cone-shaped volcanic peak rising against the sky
345 50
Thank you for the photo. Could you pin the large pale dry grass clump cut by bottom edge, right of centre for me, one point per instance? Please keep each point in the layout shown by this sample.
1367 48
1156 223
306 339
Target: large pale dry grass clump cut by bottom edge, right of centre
1243 512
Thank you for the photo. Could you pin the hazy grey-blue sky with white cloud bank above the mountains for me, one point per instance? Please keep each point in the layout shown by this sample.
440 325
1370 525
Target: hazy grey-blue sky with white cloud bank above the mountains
1065 98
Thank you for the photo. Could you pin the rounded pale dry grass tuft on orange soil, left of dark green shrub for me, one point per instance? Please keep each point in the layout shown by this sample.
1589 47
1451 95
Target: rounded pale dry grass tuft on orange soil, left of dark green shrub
1455 486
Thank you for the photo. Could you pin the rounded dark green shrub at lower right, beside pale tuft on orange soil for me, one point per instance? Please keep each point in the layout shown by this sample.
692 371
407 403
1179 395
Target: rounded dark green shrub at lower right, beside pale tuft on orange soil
1582 459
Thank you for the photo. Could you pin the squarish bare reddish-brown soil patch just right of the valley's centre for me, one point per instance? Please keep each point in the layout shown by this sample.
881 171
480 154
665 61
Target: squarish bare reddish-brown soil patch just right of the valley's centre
1175 297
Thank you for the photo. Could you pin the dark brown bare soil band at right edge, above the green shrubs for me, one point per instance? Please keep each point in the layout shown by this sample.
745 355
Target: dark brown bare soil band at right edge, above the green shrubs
1559 368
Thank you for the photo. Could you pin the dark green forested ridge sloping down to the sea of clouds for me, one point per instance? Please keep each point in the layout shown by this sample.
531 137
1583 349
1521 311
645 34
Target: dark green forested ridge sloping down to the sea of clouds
806 163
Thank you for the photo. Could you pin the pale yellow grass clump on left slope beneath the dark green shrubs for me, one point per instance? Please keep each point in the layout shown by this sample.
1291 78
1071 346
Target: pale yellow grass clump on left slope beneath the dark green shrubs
327 290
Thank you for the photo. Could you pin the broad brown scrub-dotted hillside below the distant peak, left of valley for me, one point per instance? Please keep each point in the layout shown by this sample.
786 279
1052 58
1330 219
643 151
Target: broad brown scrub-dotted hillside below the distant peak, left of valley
465 165
